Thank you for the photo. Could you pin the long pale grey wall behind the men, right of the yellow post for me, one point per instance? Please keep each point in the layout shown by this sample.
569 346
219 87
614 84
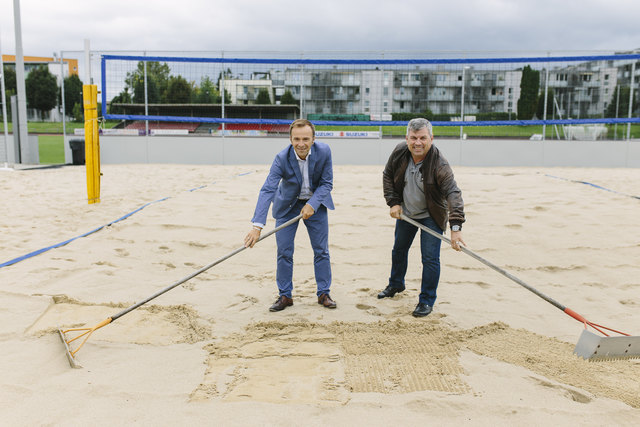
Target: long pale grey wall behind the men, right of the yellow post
256 150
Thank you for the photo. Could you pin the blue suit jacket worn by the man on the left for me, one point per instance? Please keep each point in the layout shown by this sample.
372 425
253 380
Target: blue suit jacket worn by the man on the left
283 184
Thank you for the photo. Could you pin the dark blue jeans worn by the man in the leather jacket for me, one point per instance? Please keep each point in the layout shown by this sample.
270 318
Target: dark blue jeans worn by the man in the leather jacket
430 248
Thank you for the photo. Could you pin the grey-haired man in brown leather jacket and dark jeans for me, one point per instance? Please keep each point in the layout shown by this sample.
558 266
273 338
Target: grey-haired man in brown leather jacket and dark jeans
418 182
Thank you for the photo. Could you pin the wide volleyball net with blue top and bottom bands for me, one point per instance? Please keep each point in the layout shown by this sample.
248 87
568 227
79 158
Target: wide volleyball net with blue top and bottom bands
552 96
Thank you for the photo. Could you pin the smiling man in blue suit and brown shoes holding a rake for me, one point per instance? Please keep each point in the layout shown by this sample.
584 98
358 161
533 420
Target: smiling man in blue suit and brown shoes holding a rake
299 182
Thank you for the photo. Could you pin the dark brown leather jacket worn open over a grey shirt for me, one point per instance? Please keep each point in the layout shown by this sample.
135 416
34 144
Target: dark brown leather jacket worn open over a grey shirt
440 188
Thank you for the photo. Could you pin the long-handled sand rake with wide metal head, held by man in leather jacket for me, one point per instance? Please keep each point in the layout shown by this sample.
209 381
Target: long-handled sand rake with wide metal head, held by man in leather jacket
590 346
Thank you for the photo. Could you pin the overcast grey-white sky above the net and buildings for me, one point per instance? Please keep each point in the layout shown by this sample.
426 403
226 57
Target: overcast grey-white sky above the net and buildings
287 25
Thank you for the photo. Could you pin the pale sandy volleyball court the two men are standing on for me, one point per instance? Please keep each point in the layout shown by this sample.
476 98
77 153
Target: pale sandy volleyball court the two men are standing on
210 352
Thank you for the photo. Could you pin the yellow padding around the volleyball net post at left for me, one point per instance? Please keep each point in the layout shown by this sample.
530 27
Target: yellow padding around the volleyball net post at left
91 142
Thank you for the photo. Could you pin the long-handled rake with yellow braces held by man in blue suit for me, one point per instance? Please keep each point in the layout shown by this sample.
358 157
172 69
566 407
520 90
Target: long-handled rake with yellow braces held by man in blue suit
72 335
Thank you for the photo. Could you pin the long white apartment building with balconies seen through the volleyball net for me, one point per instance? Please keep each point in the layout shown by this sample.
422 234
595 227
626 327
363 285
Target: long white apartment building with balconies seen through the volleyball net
580 90
